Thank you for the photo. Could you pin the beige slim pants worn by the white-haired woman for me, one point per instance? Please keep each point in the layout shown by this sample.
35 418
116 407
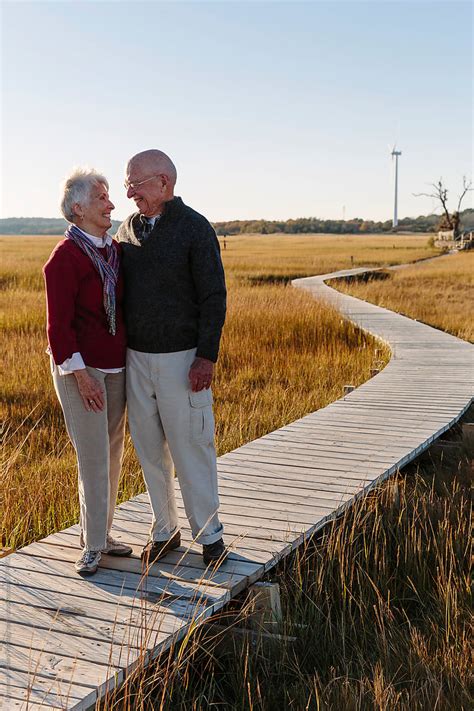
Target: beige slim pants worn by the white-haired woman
98 440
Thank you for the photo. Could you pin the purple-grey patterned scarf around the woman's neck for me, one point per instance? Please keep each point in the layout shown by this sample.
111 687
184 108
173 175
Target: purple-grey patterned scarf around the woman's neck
108 269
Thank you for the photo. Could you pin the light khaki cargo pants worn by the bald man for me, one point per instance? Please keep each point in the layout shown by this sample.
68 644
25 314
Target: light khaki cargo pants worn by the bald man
170 424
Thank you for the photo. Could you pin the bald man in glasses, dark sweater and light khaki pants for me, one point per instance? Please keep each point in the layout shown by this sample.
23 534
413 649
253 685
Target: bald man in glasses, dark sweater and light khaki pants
175 301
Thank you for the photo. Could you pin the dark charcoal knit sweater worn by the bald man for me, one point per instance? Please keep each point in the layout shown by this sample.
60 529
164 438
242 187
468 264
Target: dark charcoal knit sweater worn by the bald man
175 294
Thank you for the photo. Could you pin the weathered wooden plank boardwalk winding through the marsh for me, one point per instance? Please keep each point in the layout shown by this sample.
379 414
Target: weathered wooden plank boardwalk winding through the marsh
68 640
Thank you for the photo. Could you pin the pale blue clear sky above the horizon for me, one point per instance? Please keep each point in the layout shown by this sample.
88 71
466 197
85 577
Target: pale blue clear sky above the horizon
270 110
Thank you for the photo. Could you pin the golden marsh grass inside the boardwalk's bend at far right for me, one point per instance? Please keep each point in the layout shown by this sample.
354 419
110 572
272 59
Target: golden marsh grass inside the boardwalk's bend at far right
440 293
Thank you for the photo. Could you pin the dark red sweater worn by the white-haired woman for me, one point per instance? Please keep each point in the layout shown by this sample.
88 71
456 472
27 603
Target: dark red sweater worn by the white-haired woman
77 321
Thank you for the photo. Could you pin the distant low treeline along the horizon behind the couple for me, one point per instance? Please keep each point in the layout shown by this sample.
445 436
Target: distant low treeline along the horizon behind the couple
302 225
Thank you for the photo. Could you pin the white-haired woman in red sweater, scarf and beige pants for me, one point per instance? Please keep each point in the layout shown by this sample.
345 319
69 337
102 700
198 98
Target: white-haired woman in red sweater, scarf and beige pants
86 338
